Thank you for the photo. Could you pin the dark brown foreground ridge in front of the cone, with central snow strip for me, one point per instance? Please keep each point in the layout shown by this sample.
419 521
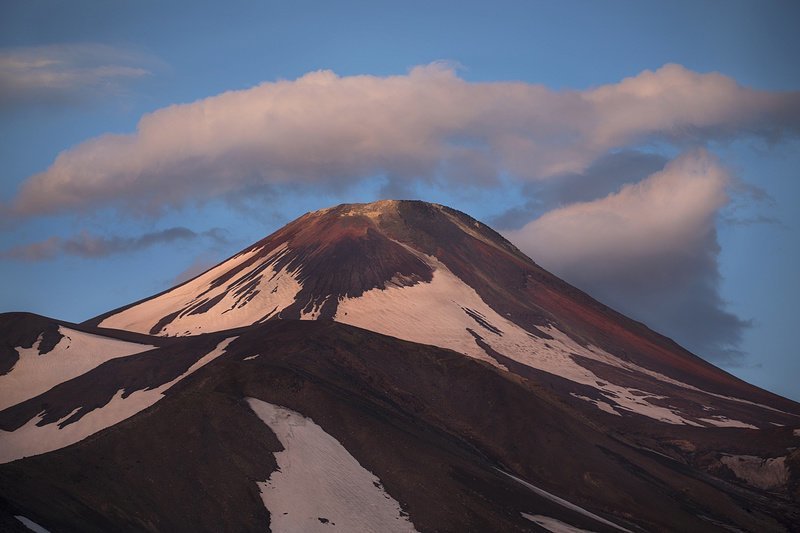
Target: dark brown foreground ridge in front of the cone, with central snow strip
388 435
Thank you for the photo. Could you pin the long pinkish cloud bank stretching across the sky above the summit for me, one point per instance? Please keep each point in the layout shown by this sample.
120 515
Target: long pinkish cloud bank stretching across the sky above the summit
430 125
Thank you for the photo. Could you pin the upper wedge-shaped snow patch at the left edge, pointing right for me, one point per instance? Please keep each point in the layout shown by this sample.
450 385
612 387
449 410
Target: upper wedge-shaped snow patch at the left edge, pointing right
75 354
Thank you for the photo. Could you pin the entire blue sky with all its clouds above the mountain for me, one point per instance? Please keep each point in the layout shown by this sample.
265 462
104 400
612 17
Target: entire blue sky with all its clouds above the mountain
703 244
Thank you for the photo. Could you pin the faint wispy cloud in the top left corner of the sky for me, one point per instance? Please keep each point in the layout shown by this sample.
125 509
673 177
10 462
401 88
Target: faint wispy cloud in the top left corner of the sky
59 74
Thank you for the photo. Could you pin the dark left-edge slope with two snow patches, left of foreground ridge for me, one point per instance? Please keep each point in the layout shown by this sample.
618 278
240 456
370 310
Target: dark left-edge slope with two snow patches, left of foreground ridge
67 382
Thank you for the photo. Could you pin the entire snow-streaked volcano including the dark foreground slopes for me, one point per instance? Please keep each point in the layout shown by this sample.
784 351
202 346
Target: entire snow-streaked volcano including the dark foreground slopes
393 366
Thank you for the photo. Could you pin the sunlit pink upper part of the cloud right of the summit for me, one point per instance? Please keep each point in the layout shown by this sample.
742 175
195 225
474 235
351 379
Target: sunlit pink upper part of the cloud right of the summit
669 213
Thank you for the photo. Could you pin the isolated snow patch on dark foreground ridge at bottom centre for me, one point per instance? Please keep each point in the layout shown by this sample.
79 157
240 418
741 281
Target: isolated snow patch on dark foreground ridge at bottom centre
319 486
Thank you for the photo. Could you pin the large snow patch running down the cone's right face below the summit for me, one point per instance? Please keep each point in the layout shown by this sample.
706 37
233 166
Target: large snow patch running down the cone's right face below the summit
405 313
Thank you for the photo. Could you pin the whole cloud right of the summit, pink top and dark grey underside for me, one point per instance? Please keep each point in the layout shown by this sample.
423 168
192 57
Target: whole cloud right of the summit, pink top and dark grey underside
650 250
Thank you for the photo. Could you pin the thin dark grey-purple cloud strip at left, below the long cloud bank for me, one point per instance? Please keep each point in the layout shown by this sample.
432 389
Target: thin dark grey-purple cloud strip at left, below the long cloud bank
88 245
